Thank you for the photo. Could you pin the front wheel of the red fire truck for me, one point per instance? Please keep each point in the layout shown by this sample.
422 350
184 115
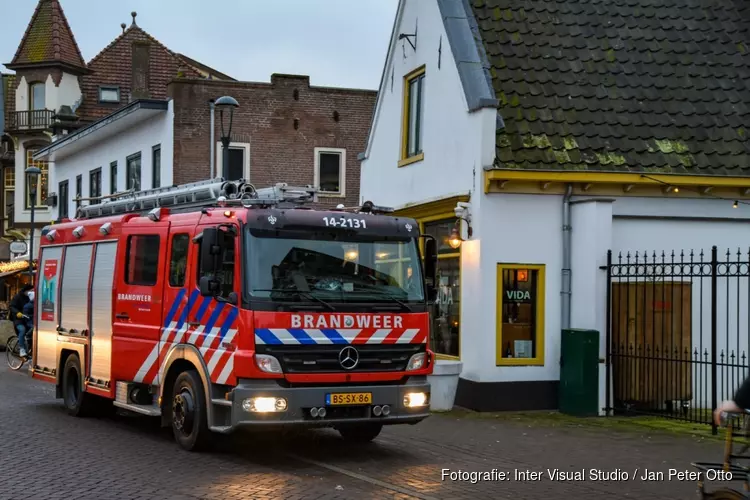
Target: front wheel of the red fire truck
189 412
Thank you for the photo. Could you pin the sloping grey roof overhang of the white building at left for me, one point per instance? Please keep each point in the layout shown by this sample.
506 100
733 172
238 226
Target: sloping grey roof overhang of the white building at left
111 125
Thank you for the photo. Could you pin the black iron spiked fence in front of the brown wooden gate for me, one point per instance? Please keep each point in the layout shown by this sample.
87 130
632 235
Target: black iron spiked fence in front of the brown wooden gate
677 338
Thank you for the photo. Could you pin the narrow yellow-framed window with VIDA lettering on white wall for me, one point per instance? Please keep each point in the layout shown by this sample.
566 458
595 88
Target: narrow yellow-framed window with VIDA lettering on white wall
520 314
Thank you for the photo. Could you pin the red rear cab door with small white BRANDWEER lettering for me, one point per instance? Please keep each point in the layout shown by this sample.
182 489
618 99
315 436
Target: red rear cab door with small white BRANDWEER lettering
139 300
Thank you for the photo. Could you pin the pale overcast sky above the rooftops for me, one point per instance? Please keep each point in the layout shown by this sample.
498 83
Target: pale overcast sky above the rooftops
338 43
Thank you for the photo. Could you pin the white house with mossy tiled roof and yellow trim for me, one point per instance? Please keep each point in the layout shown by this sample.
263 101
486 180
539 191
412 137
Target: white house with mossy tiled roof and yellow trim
558 133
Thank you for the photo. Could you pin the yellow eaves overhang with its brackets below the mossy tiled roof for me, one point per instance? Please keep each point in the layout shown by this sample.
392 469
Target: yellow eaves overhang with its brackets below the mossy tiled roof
615 183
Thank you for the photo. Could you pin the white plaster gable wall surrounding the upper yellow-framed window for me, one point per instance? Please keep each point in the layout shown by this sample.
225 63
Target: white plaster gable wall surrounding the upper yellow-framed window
452 137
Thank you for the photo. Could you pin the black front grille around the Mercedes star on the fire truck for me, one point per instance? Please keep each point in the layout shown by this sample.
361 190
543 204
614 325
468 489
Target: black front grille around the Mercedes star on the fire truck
325 358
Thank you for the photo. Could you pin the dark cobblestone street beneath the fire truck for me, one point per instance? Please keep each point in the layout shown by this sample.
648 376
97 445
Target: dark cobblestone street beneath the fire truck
46 454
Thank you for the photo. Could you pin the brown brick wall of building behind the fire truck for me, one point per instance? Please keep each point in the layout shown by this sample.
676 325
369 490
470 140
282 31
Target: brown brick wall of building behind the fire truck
266 120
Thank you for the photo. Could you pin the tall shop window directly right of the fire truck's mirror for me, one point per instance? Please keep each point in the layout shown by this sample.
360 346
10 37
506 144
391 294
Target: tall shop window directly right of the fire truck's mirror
446 320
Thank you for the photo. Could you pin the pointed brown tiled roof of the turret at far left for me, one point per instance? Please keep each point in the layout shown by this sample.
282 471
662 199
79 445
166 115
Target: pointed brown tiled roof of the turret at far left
48 39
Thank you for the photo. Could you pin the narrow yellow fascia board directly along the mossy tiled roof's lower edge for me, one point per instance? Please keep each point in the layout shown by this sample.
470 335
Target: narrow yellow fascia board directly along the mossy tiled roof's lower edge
615 178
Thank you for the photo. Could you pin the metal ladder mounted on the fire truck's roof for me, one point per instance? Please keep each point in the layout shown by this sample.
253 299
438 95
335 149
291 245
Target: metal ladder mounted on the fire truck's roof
209 193
